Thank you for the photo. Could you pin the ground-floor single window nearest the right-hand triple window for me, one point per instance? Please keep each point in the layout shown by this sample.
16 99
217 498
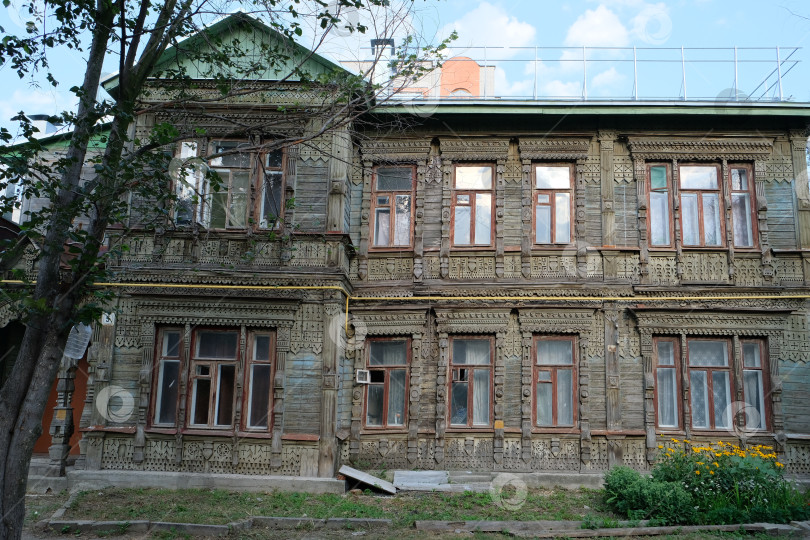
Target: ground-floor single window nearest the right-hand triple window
555 380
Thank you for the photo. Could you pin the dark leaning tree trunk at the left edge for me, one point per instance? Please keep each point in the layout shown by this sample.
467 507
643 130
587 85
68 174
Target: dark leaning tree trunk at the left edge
24 395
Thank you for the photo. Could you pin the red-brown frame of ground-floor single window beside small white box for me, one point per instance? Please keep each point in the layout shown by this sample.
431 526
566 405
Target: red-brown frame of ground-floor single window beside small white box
384 370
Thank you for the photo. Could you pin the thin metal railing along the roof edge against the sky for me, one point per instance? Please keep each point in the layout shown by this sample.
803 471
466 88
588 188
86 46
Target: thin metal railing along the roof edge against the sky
728 74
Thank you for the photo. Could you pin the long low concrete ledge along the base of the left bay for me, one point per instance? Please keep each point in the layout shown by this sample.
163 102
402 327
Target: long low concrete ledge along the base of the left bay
84 480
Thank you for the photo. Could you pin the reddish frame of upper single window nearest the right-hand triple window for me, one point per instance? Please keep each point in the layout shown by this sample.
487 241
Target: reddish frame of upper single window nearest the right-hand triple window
546 197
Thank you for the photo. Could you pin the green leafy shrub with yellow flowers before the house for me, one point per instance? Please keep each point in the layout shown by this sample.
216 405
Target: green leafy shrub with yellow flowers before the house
722 483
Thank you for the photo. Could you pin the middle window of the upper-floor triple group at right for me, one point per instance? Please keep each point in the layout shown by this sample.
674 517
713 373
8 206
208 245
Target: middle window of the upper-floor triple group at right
700 206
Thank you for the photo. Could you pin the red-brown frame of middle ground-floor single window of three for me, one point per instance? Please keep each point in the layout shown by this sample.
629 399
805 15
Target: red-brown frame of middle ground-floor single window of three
459 372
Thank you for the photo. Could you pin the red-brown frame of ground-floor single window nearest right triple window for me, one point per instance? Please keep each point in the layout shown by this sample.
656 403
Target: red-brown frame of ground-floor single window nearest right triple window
553 371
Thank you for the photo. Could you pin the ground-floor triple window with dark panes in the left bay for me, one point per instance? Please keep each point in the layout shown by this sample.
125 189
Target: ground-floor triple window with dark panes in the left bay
213 367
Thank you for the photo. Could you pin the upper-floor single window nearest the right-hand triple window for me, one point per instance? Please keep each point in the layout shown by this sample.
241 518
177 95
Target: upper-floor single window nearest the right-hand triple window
552 204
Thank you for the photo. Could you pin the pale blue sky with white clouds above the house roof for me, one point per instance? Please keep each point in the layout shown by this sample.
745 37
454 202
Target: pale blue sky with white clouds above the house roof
511 34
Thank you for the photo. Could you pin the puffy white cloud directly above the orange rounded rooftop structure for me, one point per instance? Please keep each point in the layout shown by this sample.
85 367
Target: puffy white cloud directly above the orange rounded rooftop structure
489 26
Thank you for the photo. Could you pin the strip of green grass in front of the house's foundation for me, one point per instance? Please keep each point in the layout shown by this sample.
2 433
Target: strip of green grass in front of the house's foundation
220 507
